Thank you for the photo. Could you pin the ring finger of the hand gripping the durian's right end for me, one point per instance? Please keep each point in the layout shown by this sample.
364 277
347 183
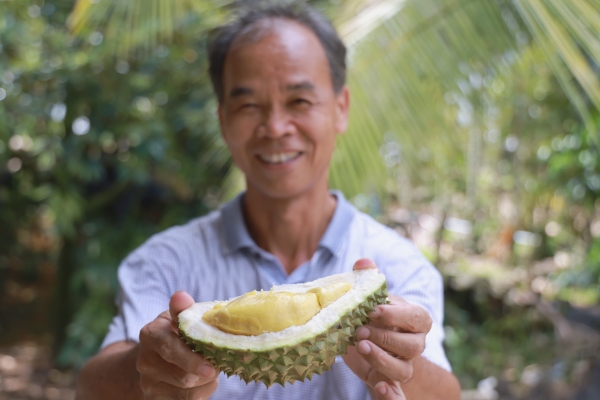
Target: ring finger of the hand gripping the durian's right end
393 368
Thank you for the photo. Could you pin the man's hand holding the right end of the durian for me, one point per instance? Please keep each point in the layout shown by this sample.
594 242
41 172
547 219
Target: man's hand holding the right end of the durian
383 357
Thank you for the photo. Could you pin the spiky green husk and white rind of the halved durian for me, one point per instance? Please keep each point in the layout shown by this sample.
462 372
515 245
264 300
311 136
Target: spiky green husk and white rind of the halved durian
297 352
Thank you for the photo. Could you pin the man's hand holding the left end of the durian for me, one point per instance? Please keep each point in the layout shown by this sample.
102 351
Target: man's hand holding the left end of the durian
168 368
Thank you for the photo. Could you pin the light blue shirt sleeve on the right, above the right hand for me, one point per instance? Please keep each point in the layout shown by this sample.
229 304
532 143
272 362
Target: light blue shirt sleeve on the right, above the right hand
411 276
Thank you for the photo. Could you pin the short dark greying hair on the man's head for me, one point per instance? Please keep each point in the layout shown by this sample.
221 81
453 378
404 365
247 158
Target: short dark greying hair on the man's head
248 20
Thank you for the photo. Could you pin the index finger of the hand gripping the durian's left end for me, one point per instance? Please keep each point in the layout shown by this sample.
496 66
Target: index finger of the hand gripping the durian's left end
160 337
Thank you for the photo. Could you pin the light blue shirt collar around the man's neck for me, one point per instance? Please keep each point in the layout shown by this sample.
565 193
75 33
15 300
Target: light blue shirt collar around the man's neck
238 237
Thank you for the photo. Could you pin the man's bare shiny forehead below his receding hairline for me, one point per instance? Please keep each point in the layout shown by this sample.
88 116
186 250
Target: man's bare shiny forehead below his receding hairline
276 50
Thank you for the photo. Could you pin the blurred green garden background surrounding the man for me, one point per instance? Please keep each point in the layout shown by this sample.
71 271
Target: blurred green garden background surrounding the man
474 132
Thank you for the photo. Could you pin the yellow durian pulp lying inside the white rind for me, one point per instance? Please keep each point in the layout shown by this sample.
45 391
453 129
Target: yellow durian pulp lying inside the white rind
255 313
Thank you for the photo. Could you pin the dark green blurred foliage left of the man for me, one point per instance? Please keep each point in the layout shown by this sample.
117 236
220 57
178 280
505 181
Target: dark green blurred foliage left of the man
96 155
